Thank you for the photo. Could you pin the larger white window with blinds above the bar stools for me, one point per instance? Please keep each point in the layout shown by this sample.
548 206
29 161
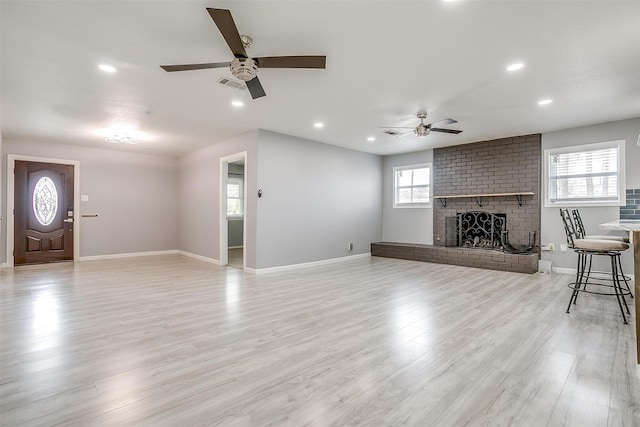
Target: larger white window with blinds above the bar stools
585 175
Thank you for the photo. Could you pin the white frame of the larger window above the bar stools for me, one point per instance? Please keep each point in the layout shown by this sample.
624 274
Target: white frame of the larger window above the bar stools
621 200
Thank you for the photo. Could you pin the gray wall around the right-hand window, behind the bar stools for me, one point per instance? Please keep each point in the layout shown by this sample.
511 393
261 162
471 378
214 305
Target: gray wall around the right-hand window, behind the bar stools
552 229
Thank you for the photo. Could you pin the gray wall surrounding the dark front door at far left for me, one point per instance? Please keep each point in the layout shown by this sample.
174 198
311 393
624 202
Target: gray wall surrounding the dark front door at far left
133 195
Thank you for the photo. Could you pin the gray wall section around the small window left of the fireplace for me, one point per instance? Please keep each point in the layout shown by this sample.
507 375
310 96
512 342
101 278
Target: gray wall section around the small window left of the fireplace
405 225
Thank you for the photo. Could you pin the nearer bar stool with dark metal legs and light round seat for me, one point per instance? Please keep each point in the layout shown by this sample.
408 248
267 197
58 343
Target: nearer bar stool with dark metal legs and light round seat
587 248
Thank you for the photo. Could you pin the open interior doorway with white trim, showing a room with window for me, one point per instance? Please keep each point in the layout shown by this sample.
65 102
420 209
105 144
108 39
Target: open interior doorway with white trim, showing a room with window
232 213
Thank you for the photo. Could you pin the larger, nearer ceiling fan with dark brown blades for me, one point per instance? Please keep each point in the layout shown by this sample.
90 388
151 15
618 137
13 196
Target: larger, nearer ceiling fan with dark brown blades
242 66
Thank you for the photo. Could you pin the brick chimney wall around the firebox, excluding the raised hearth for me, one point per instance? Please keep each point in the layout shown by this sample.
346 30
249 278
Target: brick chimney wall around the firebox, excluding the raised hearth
504 165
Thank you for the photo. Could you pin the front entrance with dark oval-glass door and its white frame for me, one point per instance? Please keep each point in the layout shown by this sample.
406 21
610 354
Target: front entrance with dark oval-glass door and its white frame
42 204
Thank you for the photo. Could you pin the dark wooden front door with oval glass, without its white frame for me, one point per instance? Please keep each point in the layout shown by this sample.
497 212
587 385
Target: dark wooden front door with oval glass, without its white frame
43 212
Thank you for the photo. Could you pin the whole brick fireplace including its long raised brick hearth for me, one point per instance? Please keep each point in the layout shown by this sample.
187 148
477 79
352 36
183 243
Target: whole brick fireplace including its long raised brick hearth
501 179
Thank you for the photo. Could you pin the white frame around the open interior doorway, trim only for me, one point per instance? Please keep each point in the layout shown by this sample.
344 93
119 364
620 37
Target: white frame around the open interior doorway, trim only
223 223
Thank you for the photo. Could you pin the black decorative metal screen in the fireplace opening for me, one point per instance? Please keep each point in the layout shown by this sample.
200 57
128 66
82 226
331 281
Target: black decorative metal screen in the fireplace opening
480 229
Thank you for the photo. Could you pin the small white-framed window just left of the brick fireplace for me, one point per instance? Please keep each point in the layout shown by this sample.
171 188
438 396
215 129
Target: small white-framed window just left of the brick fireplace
412 186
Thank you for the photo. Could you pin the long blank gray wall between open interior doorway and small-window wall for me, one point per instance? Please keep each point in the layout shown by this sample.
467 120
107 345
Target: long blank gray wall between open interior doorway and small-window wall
316 199
